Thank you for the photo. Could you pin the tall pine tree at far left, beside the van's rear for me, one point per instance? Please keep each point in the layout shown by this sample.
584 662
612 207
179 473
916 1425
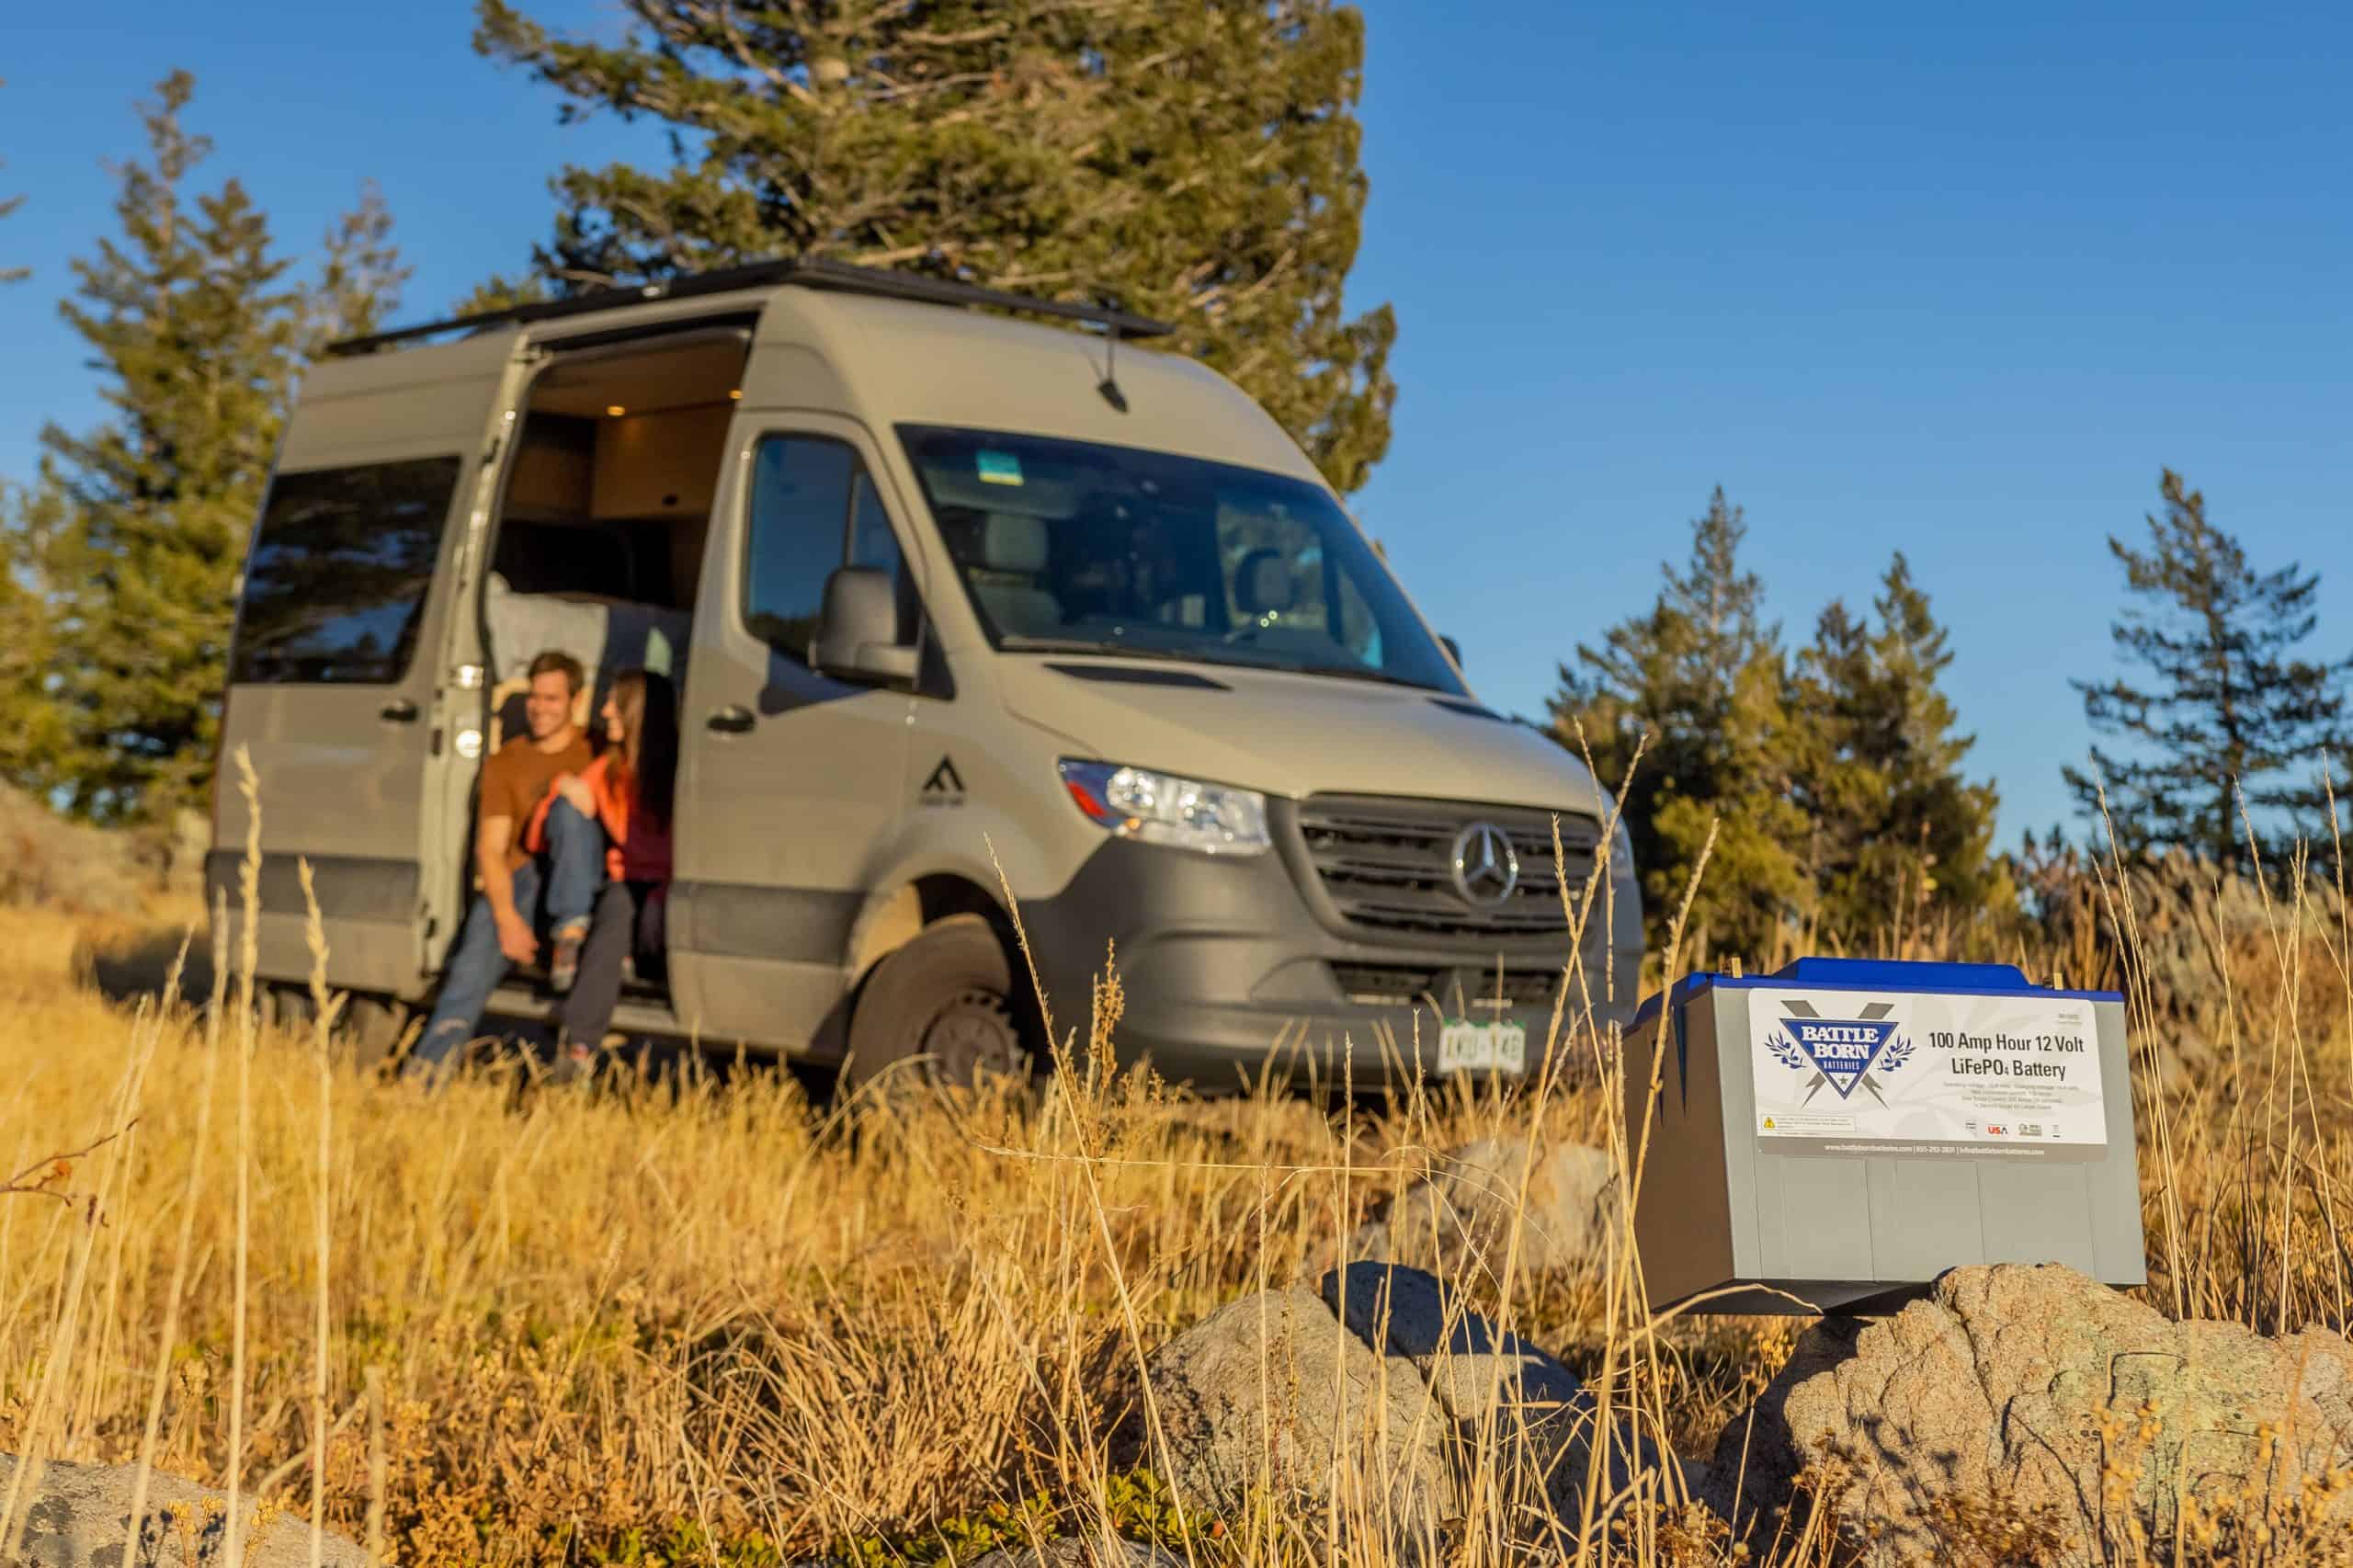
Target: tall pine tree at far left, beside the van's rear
126 557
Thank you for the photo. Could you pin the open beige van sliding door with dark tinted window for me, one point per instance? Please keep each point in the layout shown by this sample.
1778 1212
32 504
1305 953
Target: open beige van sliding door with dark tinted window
345 677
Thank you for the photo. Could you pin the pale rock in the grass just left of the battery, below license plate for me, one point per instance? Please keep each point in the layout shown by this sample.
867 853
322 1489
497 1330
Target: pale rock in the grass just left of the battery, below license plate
1460 1218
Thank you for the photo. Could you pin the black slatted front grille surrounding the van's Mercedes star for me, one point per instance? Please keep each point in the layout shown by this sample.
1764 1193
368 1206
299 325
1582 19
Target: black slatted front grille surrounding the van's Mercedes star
1389 865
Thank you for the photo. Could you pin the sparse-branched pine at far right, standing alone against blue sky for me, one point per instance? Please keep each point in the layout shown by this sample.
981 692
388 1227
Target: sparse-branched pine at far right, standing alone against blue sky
2229 705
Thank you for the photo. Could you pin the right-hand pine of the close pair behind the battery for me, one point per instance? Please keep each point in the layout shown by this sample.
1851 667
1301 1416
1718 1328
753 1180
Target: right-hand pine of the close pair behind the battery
1898 832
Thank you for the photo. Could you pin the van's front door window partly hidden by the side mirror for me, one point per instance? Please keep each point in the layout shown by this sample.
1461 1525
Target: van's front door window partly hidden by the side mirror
813 510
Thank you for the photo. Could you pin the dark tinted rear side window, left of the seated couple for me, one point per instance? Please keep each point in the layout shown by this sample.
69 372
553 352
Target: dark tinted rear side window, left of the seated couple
338 580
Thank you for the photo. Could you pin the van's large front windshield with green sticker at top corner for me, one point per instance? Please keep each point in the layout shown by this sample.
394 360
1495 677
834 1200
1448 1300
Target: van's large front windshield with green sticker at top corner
1079 547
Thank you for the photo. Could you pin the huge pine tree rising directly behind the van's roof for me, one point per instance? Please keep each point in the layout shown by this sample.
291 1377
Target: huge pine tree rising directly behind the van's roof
1185 161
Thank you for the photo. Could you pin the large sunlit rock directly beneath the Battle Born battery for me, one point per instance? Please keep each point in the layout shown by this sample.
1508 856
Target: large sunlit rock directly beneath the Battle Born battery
1999 1386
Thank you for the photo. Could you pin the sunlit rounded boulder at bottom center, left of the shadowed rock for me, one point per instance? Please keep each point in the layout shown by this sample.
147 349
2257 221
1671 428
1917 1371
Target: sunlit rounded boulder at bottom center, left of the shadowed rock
1274 1395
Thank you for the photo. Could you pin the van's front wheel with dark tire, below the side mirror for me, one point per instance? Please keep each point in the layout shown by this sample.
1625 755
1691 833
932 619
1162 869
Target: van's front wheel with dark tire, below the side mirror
947 999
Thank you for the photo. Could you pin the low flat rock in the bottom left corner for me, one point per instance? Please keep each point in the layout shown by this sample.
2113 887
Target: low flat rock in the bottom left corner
81 1517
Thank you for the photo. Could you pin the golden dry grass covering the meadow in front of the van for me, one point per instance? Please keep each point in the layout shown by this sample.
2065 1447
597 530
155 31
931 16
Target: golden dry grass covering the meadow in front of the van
712 1324
